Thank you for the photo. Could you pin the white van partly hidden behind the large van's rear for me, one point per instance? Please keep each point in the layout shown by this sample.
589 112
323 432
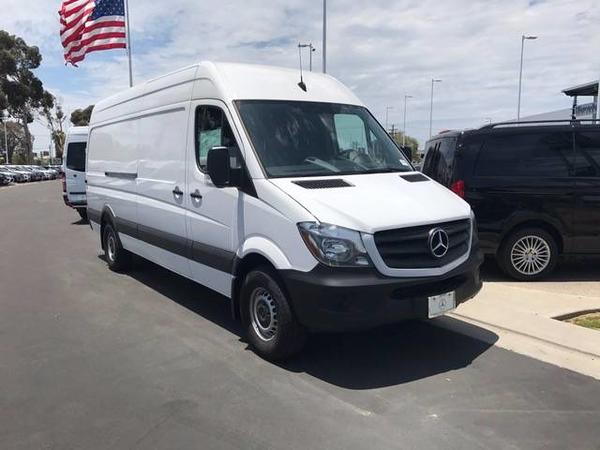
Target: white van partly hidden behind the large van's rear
74 170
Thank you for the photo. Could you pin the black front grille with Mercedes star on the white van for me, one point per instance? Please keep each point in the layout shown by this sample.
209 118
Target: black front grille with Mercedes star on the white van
408 248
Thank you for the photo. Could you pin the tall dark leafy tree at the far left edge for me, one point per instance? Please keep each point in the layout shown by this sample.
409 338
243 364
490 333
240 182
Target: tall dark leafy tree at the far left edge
22 92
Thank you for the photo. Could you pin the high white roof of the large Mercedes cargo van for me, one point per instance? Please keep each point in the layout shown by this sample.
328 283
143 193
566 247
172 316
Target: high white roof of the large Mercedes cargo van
227 82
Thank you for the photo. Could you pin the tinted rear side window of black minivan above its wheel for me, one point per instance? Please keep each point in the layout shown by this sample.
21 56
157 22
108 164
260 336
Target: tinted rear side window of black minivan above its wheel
548 154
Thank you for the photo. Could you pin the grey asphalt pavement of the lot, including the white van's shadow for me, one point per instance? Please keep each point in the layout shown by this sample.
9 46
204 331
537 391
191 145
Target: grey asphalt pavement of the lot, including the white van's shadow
92 359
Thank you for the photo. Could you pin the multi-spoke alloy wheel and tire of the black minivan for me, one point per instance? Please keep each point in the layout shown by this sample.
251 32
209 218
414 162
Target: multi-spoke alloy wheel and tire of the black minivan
515 260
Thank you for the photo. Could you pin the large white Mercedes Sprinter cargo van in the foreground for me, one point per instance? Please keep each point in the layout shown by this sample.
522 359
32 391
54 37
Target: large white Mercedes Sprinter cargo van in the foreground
290 199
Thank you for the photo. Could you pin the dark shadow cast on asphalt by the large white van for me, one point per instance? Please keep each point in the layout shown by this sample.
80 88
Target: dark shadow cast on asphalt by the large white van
381 357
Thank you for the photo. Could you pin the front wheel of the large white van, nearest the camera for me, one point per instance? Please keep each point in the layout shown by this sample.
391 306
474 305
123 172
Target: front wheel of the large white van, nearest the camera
287 336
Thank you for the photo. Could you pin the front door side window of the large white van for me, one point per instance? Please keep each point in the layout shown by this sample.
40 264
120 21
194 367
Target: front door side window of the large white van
212 130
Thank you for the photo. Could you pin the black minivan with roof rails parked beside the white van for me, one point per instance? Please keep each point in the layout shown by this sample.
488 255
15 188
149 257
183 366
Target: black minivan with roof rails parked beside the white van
534 188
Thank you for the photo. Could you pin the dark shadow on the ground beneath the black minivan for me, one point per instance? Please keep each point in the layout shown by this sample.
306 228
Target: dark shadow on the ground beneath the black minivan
568 269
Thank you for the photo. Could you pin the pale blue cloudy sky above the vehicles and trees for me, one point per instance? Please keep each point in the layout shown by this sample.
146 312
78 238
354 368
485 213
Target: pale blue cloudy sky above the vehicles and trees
381 49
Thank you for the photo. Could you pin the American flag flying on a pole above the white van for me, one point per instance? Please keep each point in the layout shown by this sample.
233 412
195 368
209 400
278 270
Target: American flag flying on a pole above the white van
91 25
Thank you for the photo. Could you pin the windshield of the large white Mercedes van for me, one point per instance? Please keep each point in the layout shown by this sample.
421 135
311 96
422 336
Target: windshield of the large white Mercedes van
302 139
